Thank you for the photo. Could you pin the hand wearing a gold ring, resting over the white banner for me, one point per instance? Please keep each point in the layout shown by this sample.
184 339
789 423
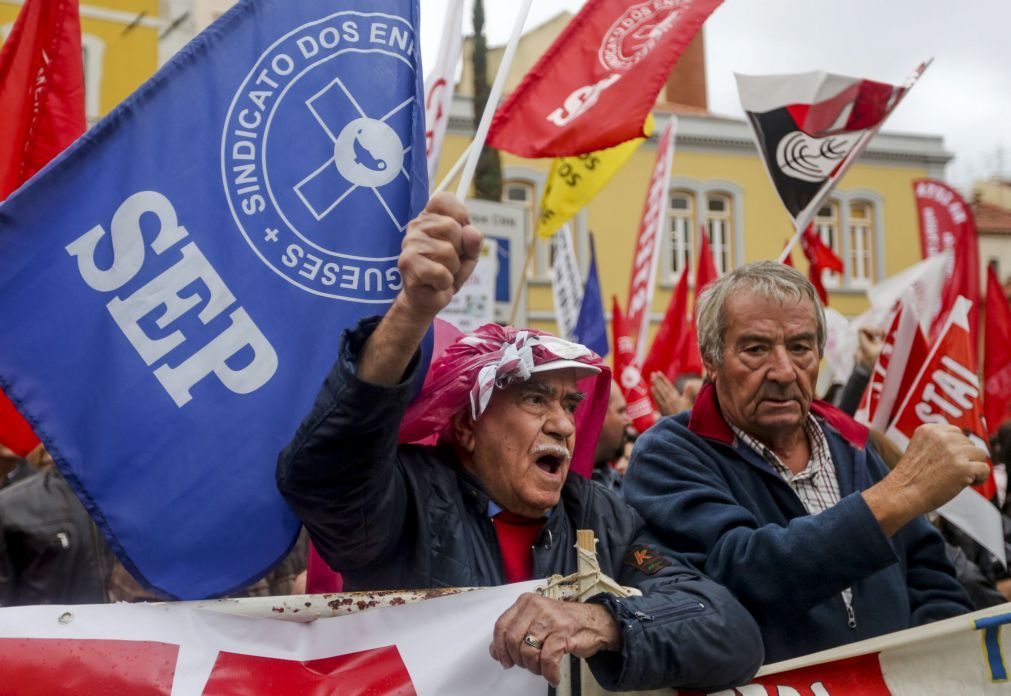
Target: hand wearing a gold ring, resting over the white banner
563 628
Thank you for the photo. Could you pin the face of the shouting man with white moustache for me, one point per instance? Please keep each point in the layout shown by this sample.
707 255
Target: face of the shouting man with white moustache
521 447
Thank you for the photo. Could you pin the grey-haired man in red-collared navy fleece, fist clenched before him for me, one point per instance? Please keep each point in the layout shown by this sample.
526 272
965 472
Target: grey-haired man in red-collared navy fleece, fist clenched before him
782 499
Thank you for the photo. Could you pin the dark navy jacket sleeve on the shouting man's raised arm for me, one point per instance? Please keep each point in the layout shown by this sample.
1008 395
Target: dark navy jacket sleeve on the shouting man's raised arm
341 473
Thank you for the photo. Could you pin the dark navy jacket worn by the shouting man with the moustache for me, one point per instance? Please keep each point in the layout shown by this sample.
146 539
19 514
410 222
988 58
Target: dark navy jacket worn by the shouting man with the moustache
395 517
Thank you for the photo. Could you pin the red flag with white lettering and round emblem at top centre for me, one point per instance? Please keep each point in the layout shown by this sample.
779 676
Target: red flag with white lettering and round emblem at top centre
594 88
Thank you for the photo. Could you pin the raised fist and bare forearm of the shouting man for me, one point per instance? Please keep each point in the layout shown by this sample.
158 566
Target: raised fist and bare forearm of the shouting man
438 255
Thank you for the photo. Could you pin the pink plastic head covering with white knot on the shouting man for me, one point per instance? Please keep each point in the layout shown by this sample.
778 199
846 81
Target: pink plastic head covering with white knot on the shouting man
468 373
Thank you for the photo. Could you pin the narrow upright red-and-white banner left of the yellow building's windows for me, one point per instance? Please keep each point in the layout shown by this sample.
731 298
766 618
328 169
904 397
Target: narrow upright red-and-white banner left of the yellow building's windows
648 246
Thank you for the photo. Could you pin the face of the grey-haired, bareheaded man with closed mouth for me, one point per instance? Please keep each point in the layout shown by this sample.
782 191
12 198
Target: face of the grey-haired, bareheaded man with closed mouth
766 384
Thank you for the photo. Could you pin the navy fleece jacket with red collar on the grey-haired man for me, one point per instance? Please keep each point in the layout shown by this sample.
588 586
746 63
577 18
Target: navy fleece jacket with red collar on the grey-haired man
734 517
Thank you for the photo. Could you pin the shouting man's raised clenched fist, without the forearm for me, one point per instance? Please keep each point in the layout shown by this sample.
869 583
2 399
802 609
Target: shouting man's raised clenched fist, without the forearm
438 255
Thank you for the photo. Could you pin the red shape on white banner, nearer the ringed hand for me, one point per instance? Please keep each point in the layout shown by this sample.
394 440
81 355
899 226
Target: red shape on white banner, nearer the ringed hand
380 671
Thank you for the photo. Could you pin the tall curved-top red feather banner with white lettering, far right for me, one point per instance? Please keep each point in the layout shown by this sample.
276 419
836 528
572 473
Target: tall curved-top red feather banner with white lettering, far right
947 223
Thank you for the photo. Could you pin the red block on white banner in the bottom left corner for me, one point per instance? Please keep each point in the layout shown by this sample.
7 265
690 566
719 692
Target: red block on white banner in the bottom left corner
52 667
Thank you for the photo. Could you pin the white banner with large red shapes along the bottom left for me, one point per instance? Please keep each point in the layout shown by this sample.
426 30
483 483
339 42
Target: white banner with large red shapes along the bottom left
439 647
